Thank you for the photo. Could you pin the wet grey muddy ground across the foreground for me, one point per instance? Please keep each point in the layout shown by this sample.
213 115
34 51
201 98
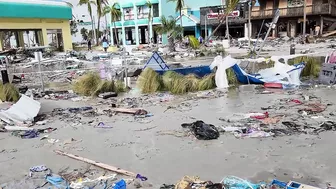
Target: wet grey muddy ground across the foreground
148 146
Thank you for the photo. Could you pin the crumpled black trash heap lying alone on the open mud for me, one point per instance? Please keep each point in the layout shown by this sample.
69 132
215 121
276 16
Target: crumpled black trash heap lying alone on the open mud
201 130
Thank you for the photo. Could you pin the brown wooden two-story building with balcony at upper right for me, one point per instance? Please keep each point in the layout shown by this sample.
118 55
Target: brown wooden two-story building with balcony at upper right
321 13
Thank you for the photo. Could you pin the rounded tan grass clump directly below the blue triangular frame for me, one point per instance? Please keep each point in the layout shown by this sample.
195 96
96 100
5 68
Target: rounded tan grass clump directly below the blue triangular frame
149 81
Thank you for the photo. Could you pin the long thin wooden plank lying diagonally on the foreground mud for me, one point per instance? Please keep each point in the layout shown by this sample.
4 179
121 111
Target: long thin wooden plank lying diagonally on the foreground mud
98 164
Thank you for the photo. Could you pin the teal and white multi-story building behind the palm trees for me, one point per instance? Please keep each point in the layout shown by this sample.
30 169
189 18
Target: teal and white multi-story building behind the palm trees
132 27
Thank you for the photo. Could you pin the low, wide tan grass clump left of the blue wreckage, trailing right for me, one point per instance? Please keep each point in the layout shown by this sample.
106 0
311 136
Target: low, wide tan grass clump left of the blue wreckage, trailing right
92 85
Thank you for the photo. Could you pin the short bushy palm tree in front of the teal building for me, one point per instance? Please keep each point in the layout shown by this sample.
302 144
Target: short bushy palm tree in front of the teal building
173 31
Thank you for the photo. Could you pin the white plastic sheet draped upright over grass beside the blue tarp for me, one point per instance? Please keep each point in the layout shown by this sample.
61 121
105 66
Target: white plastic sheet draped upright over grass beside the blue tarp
222 64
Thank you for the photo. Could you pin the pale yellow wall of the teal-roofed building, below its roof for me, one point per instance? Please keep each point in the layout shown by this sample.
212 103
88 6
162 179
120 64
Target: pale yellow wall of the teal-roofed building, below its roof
43 24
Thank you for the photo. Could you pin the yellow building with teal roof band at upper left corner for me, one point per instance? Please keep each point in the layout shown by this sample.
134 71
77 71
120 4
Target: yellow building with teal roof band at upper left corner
47 21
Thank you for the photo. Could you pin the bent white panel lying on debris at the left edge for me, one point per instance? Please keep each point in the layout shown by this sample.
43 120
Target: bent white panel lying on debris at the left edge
22 111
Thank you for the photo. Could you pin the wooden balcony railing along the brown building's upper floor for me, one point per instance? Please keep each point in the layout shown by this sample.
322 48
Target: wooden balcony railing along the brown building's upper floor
320 9
